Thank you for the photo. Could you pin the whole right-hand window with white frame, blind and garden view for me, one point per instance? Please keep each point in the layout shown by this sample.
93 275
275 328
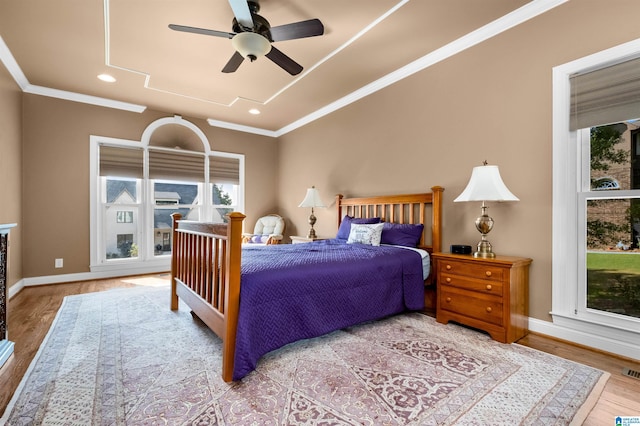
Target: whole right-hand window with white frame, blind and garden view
596 217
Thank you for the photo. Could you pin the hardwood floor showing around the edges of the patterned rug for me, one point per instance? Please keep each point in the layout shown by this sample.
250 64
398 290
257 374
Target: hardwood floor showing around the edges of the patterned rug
31 312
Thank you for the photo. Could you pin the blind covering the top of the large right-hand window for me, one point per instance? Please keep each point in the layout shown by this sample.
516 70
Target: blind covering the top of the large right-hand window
606 96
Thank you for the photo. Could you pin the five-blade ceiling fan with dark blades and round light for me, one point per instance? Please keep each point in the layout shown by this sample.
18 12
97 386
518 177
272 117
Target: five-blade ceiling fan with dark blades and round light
252 36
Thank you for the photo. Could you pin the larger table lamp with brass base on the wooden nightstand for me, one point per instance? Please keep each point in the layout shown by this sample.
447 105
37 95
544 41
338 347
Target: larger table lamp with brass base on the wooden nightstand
485 185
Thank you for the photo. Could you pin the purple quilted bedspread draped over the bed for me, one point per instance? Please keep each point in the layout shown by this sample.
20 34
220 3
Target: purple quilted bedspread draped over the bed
297 291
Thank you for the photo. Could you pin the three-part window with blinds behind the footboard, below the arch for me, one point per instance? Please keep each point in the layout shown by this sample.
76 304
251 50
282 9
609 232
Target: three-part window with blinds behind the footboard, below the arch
138 186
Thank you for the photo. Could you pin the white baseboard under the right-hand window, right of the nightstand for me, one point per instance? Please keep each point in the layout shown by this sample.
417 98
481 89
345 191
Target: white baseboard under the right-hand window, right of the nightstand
614 347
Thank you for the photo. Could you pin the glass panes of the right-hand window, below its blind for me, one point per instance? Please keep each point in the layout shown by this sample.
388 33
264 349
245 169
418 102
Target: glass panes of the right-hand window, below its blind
611 222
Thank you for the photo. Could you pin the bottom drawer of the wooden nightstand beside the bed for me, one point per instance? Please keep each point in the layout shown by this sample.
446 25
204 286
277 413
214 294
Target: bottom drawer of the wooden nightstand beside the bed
487 309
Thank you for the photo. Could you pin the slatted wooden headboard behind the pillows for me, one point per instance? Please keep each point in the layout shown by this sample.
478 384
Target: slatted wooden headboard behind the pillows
409 208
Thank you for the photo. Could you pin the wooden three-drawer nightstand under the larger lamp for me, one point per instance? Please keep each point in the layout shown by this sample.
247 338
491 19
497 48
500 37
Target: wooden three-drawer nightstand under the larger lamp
487 294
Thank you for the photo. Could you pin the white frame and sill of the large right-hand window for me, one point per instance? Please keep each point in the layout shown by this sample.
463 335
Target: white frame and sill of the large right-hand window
608 332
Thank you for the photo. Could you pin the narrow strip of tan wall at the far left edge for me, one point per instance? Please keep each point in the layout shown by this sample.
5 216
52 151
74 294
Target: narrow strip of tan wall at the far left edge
11 171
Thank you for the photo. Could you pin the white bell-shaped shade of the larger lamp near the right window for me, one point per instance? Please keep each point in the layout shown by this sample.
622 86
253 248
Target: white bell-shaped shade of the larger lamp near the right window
486 185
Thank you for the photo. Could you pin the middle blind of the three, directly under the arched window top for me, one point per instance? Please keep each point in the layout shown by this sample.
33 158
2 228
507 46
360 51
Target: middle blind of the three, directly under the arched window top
176 166
